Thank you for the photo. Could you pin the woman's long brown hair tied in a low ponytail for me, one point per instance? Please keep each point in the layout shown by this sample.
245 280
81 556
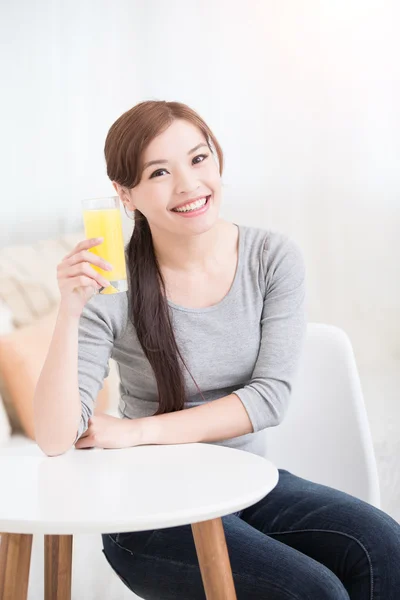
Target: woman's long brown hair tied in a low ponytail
125 144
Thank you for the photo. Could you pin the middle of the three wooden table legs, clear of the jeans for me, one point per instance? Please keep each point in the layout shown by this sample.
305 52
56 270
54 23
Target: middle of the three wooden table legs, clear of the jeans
57 567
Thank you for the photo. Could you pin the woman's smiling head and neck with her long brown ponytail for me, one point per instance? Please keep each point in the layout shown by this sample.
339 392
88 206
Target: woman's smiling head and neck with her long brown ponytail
175 206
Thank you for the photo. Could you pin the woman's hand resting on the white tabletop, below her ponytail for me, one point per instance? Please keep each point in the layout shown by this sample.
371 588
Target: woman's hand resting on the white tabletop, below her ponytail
106 431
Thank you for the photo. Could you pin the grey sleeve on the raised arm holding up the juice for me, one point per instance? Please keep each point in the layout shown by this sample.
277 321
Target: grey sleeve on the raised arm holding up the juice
95 345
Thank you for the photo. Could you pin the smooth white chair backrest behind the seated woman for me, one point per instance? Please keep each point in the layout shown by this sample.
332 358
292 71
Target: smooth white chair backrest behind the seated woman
325 436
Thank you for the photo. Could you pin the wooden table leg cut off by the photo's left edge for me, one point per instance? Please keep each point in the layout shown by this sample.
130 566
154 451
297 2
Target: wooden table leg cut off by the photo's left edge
15 561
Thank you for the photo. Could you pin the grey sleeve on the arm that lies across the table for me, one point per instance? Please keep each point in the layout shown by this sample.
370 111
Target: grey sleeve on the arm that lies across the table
283 327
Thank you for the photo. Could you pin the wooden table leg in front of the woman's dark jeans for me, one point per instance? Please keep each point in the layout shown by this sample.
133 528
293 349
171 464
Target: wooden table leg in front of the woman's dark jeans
215 567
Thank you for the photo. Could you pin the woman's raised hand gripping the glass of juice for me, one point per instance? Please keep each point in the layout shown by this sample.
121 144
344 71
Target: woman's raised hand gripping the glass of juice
77 280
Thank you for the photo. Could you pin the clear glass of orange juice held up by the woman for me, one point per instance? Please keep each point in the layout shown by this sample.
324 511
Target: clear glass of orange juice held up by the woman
102 218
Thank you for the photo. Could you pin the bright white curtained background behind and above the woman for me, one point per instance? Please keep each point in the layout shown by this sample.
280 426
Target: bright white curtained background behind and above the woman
303 97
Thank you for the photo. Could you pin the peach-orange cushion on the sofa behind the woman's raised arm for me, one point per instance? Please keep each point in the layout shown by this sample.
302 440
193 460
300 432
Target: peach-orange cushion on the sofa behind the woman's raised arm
22 355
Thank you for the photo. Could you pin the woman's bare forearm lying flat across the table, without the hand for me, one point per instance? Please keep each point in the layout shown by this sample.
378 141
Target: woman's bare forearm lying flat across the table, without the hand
211 422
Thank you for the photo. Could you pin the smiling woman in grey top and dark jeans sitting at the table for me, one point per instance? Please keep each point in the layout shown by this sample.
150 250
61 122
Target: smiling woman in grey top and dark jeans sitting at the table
213 323
